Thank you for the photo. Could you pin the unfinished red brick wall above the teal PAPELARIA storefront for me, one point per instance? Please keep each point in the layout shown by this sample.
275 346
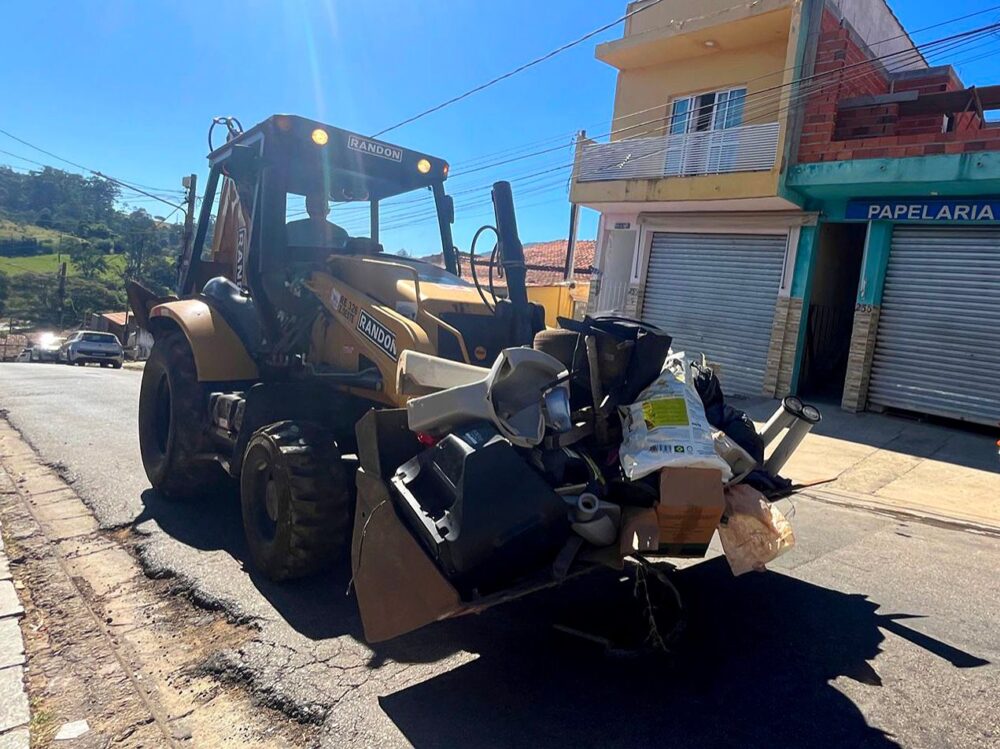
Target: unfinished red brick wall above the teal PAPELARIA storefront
845 70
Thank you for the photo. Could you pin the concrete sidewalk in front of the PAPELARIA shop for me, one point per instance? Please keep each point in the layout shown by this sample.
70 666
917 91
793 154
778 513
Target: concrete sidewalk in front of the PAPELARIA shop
950 474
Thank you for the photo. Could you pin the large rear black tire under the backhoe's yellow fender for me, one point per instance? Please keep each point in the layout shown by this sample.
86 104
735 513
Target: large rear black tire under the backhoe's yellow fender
173 423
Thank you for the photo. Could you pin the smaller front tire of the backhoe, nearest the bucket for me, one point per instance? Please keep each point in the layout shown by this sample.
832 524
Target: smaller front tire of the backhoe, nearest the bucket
297 498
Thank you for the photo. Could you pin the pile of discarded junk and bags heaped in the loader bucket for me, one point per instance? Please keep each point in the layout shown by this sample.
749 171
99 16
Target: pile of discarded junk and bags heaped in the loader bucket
597 444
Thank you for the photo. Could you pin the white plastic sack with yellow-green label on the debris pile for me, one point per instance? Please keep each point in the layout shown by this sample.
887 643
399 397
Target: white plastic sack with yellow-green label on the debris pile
666 426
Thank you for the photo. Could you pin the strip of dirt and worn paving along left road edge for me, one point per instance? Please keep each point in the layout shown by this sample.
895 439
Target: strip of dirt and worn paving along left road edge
105 643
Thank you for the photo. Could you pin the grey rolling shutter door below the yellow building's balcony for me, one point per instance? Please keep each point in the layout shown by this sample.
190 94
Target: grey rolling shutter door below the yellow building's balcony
715 293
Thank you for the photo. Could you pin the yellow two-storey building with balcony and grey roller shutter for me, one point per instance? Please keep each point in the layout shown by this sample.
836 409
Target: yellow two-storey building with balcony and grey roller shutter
695 231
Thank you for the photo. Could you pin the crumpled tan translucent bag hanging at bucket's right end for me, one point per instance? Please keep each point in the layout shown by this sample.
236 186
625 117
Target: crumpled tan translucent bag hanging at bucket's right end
753 531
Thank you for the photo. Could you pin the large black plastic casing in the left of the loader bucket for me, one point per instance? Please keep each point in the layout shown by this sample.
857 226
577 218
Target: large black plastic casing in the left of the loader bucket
480 510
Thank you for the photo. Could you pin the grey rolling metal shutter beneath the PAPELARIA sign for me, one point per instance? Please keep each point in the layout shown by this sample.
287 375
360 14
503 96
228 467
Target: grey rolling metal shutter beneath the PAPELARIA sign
938 345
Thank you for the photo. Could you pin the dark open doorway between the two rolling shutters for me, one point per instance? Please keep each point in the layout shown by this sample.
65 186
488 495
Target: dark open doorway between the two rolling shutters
830 322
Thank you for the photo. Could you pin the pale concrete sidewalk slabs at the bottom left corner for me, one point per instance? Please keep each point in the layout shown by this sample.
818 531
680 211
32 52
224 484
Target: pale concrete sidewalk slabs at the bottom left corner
14 713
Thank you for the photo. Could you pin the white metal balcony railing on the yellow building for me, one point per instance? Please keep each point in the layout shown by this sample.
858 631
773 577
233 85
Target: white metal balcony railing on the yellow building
751 148
